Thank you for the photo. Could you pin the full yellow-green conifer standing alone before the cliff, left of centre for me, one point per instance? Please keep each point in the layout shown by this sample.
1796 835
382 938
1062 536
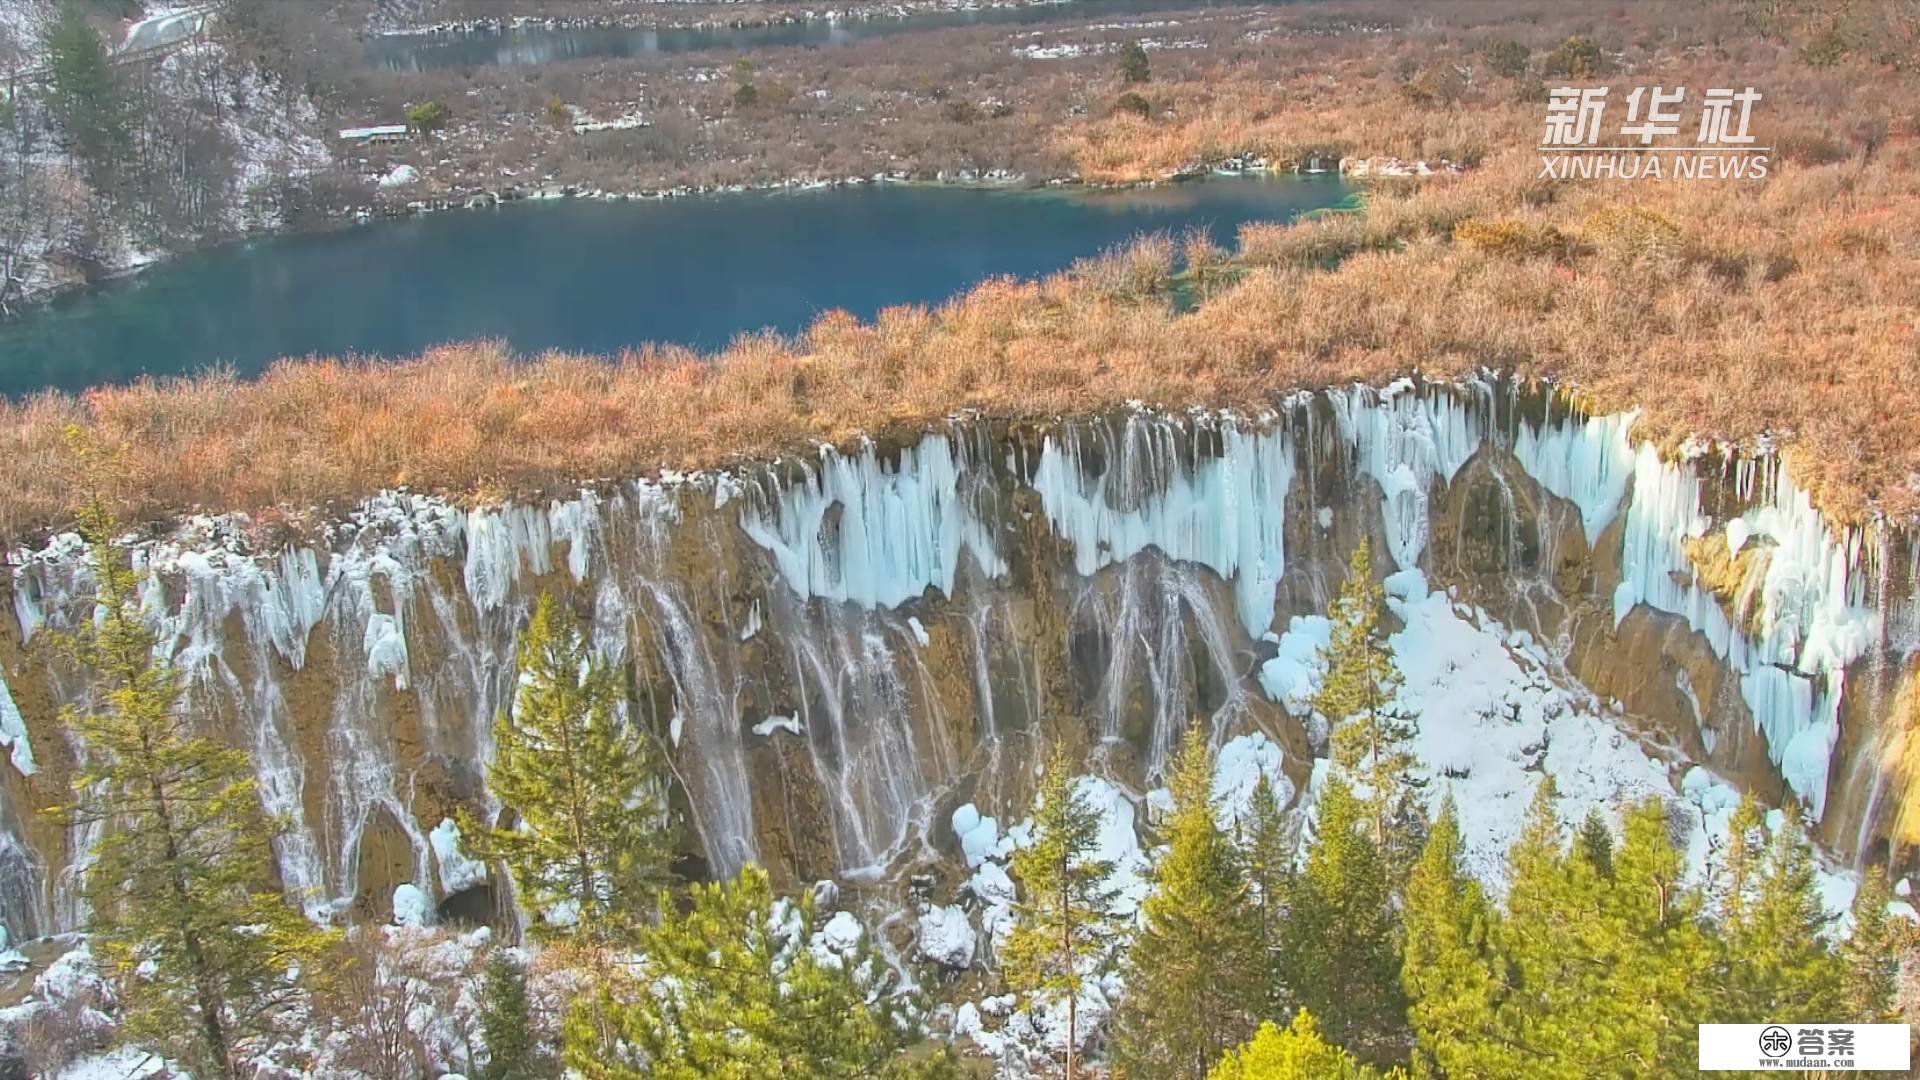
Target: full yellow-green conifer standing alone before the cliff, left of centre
592 837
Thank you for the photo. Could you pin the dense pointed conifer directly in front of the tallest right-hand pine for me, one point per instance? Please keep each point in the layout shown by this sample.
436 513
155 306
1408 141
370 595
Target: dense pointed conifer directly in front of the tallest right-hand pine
1343 933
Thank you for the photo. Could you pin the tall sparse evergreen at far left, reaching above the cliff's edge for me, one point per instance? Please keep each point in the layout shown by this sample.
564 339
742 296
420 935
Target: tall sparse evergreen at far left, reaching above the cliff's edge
203 948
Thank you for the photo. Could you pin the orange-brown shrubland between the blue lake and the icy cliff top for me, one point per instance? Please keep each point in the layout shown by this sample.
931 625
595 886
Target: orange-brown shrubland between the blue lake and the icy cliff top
1727 310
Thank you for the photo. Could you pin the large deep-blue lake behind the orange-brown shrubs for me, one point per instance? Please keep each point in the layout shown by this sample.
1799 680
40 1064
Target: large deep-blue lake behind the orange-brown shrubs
590 276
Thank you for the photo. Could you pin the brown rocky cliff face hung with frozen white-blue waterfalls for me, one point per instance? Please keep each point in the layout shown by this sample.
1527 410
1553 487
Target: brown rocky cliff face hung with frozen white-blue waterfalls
846 649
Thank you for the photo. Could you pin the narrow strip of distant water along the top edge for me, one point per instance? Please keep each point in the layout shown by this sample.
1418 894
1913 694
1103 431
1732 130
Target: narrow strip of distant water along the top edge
546 45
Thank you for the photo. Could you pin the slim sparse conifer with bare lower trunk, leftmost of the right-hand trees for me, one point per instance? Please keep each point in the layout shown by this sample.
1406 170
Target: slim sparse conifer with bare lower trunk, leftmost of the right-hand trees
1063 921
